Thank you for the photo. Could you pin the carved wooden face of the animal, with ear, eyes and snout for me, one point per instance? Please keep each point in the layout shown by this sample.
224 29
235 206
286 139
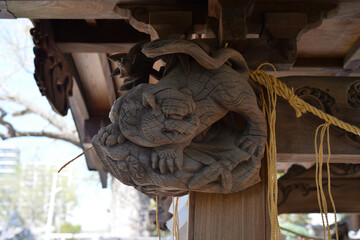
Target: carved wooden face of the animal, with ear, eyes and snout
156 115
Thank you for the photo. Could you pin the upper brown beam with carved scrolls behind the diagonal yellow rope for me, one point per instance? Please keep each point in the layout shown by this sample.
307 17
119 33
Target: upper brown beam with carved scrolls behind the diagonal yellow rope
337 96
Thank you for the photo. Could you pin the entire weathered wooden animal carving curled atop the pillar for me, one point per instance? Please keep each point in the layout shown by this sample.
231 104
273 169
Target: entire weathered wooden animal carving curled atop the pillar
182 133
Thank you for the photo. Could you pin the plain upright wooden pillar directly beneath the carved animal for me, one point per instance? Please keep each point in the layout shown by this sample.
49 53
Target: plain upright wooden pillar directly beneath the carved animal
237 216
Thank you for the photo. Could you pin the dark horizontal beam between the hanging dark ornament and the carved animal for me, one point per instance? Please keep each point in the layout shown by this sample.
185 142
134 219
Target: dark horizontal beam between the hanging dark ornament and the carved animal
105 36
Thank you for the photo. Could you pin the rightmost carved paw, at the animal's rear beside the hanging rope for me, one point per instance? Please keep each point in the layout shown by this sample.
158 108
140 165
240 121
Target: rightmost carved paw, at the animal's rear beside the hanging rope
252 144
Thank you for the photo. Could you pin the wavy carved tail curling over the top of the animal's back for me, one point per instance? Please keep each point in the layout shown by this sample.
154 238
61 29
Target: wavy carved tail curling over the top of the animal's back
162 47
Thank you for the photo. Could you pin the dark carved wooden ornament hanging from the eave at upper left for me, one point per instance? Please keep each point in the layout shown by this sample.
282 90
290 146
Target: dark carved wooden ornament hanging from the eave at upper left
52 73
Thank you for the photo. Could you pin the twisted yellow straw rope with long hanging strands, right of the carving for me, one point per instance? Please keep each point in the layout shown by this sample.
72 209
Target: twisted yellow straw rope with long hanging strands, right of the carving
275 87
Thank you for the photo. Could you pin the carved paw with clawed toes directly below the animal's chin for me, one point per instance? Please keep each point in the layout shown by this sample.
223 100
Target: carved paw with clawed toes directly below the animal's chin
166 159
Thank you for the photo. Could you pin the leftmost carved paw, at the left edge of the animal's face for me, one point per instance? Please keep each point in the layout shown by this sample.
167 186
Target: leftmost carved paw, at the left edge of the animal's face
111 135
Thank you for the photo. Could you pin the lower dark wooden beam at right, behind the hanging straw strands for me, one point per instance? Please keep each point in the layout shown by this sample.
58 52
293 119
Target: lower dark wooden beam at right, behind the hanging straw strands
297 189
